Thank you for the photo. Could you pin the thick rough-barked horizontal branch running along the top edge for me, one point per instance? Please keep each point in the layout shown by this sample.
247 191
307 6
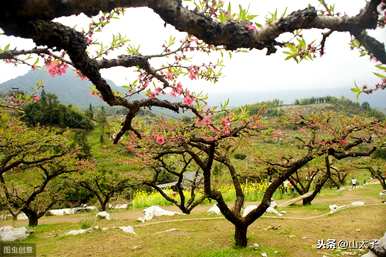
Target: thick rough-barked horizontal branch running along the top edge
18 16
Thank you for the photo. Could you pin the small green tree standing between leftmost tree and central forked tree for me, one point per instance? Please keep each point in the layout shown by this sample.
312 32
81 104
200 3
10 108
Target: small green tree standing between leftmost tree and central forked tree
113 172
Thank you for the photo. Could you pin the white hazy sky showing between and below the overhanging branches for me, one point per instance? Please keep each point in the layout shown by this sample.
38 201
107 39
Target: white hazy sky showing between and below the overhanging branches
252 71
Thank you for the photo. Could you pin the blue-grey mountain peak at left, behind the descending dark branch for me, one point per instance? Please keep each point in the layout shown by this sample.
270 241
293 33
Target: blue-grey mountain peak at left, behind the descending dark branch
69 88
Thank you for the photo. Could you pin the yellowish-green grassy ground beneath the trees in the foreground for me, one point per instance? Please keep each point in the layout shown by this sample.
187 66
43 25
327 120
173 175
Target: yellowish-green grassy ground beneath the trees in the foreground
293 235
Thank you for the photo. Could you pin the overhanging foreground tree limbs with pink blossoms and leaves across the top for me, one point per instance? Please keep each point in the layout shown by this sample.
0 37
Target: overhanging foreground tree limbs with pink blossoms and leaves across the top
211 26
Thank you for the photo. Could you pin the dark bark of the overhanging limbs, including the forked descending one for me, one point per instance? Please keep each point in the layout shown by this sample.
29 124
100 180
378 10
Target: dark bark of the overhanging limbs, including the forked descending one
33 19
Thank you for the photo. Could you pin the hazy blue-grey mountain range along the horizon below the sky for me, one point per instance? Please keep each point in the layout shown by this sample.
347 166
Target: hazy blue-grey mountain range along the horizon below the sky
70 89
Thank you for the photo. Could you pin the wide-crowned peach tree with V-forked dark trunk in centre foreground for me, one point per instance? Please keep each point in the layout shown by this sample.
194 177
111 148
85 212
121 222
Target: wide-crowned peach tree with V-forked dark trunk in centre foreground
177 148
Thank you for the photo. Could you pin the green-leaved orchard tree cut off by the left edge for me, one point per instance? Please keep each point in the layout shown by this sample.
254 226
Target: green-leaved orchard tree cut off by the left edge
33 162
